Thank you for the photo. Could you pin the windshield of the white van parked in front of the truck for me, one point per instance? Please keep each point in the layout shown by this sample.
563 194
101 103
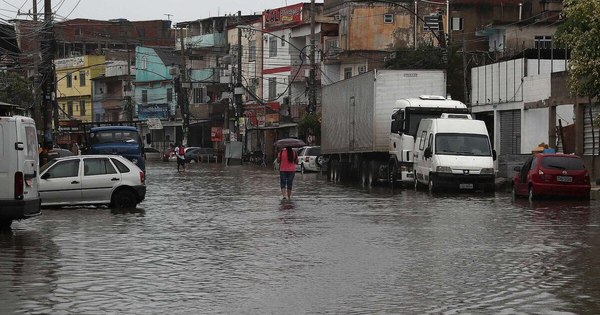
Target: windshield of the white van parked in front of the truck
462 144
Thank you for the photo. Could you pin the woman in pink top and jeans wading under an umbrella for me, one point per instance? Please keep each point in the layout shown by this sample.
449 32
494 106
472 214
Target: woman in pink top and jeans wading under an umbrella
287 159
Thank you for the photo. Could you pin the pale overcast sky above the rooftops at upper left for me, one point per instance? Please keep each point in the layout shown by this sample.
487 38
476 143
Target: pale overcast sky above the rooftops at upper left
136 10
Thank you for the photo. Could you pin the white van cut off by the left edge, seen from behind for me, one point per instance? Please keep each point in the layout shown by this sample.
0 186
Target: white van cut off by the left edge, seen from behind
19 169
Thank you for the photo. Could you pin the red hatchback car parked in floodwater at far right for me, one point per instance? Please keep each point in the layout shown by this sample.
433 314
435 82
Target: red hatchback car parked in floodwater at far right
553 174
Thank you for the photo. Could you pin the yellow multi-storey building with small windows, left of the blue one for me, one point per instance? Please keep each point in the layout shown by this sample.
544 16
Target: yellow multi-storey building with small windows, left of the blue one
74 86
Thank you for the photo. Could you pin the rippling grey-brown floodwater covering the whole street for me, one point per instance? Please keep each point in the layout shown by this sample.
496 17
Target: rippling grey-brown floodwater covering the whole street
219 239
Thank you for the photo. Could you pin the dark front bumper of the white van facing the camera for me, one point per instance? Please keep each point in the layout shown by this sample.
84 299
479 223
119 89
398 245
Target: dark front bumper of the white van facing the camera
444 181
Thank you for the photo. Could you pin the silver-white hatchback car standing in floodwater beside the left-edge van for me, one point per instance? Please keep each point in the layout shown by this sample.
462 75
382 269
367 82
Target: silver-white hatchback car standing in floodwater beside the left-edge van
91 180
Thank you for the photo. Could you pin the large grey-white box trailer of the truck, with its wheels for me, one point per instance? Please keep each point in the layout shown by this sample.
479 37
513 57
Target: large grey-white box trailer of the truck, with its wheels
357 116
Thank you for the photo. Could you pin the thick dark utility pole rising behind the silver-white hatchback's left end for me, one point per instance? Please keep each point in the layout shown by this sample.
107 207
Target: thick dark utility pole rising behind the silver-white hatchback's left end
47 74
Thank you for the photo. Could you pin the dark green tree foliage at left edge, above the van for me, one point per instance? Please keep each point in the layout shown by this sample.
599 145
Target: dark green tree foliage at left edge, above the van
16 90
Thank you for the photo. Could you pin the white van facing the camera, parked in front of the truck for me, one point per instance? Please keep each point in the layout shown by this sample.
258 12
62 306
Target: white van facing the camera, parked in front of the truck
454 152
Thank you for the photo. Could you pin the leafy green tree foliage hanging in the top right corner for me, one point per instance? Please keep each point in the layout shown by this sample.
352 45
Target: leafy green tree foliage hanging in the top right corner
580 33
